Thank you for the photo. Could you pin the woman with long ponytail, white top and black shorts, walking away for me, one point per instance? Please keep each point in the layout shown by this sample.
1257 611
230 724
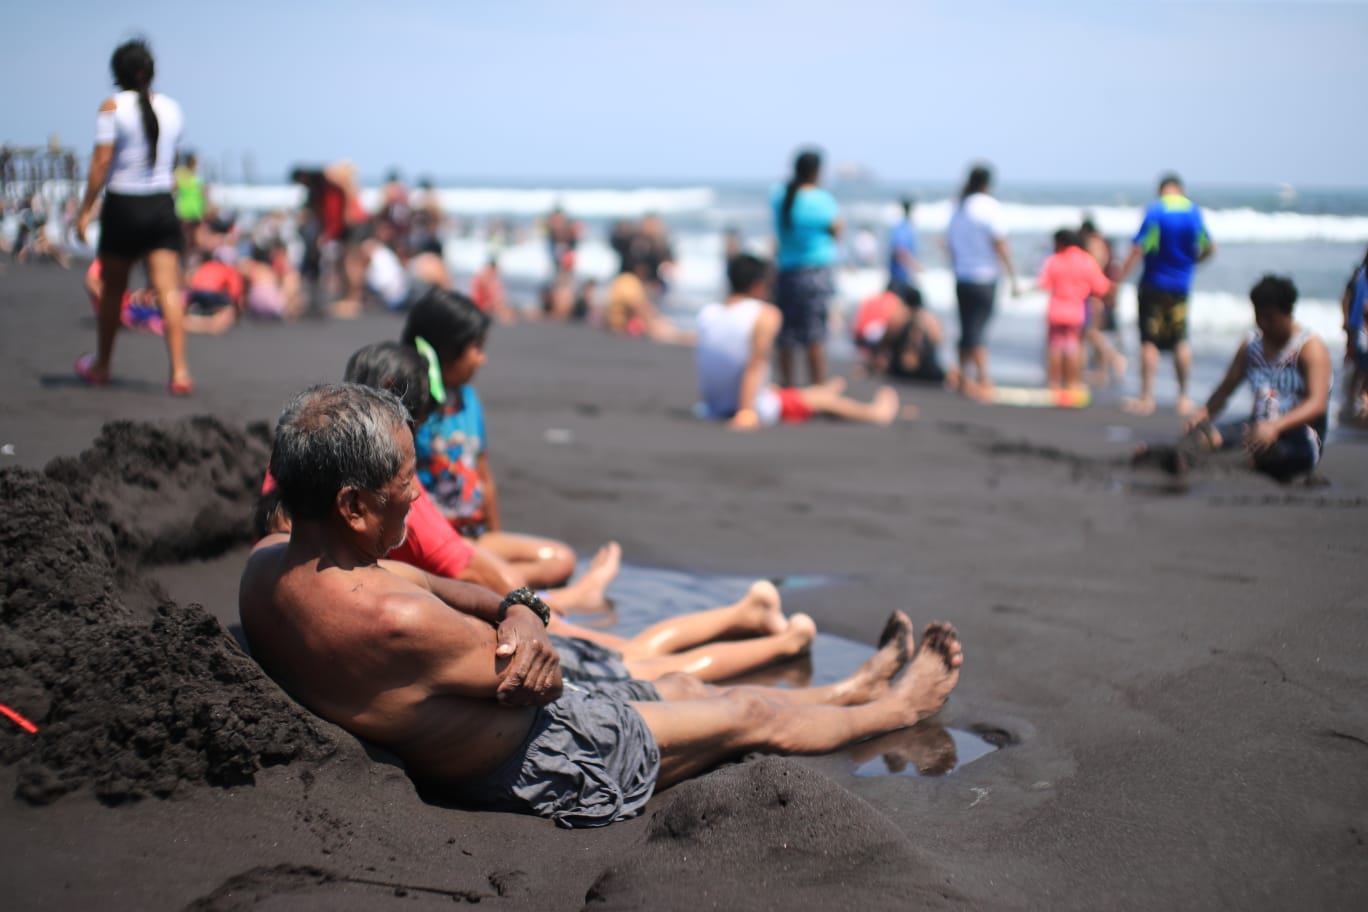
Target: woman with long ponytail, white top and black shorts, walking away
136 137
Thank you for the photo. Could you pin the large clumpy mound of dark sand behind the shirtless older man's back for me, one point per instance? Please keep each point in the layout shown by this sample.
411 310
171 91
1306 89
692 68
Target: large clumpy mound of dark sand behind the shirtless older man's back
133 695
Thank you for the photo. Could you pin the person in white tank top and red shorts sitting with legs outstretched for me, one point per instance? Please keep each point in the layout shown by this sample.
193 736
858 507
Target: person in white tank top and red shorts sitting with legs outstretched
735 345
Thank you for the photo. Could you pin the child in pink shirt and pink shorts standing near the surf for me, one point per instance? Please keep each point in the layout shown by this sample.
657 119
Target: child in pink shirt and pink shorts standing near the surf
1070 276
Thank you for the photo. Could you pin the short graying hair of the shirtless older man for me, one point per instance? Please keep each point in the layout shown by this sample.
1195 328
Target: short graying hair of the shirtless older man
333 437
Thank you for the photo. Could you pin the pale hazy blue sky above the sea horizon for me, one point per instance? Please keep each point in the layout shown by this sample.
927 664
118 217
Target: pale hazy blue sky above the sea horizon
1232 92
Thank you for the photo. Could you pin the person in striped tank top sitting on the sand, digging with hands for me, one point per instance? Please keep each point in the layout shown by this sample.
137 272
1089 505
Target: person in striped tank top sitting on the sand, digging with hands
1288 371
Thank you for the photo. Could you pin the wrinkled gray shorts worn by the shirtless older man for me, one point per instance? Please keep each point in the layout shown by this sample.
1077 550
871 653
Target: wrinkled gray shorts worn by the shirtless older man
588 761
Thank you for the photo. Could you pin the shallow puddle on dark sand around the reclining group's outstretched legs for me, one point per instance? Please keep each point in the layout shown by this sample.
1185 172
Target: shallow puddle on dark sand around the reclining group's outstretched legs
646 595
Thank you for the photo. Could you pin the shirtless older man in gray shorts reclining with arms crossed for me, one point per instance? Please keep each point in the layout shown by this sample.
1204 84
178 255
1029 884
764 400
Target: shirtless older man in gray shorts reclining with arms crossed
466 688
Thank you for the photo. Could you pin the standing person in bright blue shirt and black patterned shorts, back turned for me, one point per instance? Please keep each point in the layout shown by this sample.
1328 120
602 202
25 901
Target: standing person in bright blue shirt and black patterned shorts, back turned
1173 240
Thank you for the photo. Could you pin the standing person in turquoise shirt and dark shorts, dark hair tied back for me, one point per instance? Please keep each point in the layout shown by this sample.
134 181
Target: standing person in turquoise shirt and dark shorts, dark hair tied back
808 224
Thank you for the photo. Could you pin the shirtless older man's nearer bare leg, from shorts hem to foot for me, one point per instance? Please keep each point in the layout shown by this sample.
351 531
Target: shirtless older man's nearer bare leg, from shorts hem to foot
696 735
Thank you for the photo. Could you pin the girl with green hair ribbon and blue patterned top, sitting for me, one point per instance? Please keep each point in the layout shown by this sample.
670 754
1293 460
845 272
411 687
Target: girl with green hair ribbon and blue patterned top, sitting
452 461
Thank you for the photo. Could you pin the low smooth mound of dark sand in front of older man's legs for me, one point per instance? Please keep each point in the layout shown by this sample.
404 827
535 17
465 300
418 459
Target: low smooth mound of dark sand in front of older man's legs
775 831
